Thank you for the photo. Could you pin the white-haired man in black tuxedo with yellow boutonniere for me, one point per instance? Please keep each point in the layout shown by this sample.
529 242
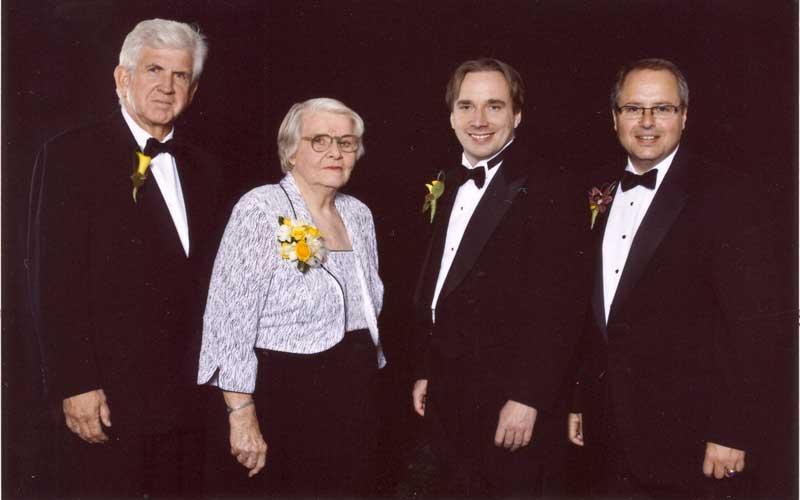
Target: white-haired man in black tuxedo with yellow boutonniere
124 228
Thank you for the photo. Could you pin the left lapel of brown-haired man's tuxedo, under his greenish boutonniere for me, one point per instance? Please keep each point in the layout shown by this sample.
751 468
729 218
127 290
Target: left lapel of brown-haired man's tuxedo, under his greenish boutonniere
433 260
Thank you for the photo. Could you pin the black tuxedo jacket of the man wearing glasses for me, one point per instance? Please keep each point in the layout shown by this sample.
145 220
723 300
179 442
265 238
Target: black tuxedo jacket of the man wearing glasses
685 355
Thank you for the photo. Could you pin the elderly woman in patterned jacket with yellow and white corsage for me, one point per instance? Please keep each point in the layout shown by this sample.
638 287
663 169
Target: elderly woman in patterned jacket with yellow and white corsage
290 329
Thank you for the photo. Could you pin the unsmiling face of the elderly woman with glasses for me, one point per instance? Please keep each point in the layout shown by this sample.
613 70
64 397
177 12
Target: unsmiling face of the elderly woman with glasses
327 169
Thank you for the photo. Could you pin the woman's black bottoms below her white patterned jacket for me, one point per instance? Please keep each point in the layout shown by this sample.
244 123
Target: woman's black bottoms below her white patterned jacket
317 414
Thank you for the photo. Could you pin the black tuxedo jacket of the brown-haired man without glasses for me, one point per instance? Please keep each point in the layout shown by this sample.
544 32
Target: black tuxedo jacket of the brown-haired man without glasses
511 302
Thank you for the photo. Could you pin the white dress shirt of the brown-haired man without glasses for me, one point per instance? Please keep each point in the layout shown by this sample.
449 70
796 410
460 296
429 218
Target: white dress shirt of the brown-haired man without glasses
467 199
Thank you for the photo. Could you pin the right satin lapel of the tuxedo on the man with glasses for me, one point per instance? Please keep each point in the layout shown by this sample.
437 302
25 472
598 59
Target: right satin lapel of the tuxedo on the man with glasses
665 208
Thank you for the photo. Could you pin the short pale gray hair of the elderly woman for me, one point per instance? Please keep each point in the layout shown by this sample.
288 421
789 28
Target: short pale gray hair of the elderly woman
292 124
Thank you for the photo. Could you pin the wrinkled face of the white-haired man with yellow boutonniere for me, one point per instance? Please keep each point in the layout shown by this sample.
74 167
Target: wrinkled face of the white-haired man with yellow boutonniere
158 89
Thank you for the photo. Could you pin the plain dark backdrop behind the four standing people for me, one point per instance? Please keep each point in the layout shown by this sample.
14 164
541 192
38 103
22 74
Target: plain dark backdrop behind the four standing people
390 61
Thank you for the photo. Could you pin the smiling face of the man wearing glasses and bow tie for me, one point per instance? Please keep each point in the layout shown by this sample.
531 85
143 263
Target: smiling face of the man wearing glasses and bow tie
647 139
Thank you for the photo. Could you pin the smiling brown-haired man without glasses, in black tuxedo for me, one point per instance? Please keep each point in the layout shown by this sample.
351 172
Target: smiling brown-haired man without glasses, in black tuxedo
496 298
